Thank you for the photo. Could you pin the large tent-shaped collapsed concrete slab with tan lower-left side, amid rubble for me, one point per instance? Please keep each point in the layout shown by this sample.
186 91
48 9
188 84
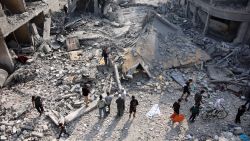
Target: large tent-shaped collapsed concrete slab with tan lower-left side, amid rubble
163 45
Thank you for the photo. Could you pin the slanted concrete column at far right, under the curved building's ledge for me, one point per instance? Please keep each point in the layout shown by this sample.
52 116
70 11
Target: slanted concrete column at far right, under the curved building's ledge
241 32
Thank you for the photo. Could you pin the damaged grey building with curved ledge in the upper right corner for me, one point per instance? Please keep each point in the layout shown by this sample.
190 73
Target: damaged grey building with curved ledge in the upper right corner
226 19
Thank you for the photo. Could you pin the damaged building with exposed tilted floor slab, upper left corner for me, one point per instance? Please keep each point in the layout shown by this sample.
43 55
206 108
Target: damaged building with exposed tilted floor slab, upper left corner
16 20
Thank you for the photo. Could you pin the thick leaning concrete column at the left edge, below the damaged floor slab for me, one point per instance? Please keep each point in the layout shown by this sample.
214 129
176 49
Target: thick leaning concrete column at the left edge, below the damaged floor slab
6 61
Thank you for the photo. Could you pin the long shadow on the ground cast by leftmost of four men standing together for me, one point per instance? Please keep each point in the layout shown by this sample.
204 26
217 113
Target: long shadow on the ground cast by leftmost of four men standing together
94 131
